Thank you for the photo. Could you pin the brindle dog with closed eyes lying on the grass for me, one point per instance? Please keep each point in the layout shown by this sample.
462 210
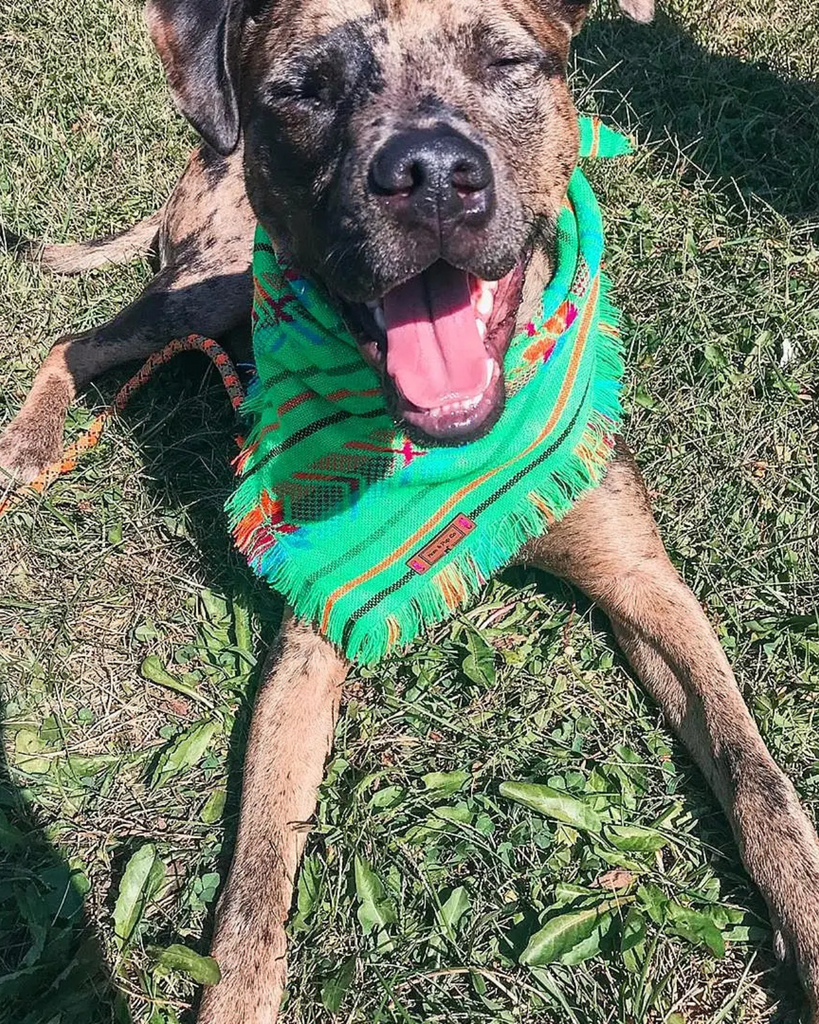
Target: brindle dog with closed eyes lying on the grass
385 142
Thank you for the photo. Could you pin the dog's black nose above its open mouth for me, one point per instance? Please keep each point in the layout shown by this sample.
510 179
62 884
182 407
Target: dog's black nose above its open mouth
435 178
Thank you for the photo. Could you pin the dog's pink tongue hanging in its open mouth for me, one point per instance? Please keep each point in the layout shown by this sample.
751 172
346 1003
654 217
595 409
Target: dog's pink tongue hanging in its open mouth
435 353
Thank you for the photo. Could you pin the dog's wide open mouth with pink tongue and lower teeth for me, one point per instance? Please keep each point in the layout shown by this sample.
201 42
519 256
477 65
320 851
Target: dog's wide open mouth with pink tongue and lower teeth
440 342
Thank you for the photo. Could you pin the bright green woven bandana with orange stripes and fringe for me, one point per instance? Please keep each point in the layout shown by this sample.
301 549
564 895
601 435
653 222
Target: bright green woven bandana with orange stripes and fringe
373 537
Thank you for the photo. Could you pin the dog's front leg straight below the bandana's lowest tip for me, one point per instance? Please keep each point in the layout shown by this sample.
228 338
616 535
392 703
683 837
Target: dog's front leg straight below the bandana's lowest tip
290 738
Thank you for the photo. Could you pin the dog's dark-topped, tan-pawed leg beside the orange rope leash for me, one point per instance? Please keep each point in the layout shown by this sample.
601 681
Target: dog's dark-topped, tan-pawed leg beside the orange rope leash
175 305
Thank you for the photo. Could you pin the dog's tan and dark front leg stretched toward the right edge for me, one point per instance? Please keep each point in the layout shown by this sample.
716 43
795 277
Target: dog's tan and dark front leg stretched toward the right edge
610 547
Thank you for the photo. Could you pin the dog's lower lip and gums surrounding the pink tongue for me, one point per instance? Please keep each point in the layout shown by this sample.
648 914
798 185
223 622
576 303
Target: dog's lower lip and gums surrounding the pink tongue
458 420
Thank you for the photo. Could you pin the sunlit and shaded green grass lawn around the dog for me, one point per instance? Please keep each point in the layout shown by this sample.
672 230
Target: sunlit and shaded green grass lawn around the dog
130 630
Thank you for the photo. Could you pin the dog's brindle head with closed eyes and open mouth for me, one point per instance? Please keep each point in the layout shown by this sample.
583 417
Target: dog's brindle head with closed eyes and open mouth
411 155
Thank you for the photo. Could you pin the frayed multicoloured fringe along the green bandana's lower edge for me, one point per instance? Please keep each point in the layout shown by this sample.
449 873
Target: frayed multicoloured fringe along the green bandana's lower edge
452 588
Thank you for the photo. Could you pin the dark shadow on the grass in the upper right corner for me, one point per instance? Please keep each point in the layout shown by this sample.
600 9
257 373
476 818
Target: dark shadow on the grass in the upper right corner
738 121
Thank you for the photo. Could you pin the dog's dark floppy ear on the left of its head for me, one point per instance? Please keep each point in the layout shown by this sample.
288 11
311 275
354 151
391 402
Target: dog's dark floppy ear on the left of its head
199 45
